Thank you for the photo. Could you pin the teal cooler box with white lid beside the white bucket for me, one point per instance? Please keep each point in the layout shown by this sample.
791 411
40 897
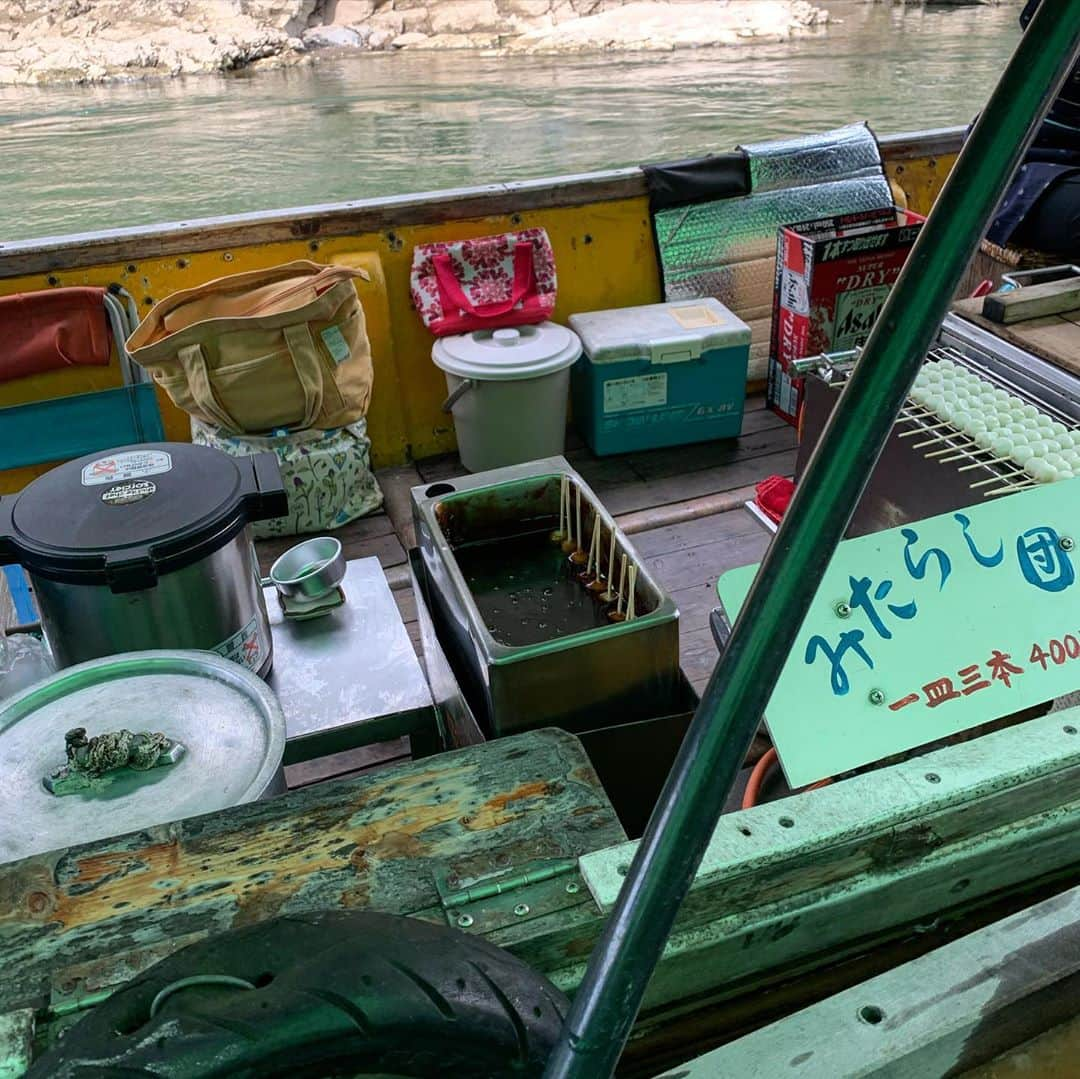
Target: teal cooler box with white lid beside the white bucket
660 375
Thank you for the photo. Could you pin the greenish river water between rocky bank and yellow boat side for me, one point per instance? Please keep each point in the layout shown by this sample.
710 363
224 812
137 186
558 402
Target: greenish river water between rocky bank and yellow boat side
83 158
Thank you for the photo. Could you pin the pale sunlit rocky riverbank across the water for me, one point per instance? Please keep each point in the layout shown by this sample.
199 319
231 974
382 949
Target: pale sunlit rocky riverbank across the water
98 41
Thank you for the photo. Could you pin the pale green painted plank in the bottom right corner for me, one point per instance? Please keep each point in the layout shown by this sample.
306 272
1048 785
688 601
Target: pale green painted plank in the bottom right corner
939 1016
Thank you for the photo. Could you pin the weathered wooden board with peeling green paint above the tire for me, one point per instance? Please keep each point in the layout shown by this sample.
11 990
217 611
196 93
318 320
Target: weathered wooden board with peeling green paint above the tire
73 921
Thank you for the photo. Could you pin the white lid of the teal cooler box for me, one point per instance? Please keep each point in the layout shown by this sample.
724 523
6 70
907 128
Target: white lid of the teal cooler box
664 333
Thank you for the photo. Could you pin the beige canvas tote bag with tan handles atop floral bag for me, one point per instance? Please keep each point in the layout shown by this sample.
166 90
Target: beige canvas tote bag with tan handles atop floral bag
286 347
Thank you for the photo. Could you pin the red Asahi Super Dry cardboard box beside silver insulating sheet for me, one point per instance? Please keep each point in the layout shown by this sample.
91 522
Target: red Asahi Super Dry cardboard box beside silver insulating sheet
833 277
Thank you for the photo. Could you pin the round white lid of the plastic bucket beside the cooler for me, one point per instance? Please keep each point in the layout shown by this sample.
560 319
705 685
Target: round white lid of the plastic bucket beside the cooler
510 354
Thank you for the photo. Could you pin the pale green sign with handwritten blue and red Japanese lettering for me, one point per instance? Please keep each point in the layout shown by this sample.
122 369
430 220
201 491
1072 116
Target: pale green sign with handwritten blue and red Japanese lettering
924 631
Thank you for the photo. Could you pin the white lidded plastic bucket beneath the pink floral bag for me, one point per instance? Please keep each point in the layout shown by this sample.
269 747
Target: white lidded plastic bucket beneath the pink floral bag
508 393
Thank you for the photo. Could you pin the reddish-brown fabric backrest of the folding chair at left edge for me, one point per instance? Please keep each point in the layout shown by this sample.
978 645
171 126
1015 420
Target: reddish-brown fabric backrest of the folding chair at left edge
60 328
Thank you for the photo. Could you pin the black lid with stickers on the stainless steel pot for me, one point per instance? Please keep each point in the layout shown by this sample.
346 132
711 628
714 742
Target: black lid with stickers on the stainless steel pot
125 517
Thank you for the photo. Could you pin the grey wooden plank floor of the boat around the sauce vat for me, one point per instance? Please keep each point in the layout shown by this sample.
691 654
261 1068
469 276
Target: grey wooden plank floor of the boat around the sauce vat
686 559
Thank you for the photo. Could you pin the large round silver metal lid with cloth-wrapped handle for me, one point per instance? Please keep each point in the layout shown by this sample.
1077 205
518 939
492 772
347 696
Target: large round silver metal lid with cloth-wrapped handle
228 722
